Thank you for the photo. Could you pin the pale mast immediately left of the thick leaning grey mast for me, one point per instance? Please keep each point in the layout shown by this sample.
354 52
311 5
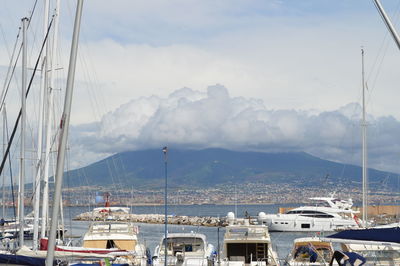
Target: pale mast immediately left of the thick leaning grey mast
49 117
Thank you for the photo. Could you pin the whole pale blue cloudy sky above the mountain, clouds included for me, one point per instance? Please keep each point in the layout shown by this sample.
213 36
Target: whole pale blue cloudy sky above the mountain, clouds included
263 75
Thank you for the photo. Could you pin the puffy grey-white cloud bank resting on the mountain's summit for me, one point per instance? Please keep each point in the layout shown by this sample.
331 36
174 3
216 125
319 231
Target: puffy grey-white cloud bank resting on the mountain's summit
194 119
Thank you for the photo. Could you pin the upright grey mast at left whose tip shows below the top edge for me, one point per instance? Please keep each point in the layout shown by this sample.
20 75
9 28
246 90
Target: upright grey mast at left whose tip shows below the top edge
23 120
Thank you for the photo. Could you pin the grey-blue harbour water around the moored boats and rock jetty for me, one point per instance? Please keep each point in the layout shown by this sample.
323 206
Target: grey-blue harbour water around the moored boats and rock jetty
150 234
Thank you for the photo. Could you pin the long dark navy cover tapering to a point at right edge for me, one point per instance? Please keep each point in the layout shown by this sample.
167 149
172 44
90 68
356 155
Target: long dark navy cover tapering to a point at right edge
374 234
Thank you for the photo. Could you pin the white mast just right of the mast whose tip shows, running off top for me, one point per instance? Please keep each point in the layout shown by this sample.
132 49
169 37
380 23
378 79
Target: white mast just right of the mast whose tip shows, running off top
40 131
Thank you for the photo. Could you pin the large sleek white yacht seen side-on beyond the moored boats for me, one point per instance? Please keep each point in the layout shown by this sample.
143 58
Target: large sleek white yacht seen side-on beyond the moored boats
328 214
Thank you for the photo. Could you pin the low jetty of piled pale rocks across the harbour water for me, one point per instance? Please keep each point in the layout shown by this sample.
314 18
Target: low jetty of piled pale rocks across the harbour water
152 218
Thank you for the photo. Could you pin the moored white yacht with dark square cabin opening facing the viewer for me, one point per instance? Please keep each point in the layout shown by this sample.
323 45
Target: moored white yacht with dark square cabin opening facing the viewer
247 244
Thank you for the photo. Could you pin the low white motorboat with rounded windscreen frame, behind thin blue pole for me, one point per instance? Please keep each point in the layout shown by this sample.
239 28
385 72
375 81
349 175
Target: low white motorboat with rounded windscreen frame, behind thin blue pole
184 249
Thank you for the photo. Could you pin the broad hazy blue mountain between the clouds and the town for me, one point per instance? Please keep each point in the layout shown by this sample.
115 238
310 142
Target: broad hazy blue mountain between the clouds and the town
210 167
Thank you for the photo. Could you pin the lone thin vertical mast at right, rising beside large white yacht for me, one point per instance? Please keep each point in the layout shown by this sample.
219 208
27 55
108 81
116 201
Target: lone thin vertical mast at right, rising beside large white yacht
364 148
